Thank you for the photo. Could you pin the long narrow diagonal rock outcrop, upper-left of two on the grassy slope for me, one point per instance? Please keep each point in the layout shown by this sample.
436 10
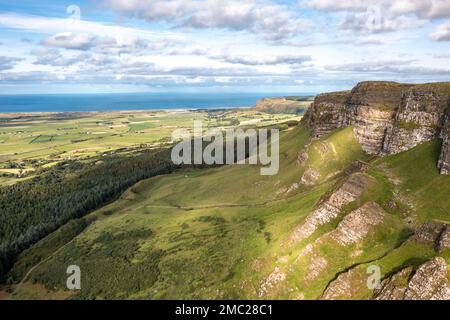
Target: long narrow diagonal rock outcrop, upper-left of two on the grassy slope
330 208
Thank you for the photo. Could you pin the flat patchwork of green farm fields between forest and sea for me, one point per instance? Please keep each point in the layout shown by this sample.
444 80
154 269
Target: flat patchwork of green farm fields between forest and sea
34 142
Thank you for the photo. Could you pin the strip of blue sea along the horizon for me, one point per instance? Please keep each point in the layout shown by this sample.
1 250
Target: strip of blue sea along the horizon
127 101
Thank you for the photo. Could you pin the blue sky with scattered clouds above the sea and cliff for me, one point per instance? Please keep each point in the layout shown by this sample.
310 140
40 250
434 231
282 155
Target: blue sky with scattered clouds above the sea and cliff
290 46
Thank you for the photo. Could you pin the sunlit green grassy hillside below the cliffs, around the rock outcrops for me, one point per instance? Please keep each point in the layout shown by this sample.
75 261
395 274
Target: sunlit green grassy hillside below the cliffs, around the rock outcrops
219 233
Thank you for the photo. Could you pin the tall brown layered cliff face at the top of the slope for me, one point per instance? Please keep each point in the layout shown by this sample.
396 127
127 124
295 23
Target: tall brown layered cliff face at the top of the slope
387 117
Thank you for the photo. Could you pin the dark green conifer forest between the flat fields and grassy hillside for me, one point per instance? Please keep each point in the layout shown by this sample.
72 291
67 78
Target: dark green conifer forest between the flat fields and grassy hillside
32 209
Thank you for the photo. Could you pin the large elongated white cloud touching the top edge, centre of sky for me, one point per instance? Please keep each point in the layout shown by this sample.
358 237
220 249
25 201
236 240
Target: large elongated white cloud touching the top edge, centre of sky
271 21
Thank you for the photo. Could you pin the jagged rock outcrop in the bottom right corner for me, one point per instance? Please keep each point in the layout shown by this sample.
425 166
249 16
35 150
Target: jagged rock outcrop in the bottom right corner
428 282
